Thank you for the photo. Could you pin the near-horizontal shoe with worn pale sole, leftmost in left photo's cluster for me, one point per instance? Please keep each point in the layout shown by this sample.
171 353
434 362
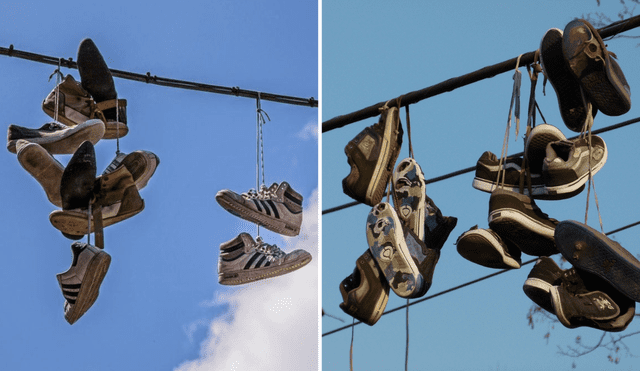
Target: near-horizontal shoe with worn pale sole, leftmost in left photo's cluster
55 137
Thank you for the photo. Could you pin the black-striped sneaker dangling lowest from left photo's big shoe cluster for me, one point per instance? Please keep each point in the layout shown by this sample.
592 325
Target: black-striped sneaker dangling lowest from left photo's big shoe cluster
80 284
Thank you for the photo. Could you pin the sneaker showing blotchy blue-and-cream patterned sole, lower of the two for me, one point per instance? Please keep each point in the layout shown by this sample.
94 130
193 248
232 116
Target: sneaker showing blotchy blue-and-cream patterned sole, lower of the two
385 236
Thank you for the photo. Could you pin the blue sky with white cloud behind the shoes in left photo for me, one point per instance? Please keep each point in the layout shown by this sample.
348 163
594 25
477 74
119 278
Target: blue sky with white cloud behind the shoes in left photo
160 305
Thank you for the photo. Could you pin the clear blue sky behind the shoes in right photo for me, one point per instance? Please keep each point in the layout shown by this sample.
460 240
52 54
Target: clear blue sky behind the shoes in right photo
374 51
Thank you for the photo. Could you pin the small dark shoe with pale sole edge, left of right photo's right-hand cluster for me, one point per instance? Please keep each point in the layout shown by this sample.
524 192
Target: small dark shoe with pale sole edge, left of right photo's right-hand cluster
486 248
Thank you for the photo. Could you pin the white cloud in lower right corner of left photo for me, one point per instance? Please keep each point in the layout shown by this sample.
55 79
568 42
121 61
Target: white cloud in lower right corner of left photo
272 324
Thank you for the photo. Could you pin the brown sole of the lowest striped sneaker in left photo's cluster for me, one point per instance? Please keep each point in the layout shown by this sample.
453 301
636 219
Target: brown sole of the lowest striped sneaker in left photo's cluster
88 294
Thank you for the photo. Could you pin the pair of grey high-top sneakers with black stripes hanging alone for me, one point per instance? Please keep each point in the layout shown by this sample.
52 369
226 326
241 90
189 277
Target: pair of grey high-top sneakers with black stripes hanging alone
279 209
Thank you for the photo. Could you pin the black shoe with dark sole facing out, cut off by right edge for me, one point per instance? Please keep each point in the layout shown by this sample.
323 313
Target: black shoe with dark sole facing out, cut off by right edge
593 252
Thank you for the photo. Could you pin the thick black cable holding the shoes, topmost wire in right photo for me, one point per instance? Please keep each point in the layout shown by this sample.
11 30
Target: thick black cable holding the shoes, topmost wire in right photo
457 82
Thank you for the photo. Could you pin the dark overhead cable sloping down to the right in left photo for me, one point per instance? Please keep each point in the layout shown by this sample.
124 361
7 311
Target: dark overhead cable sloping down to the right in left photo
163 81
